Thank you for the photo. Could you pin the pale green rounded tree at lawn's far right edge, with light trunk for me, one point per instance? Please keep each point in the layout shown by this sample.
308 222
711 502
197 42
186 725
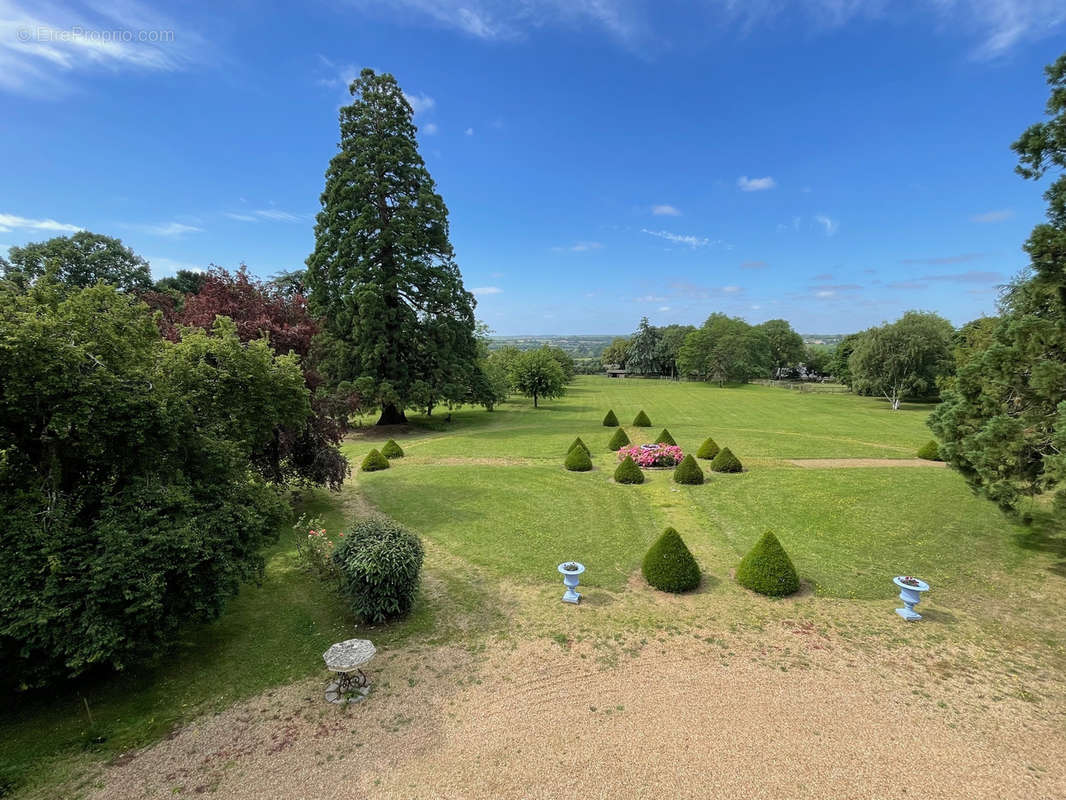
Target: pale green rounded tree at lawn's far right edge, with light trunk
903 359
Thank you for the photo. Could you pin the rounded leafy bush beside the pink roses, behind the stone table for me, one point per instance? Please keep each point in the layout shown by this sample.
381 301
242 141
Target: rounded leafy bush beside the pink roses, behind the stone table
380 563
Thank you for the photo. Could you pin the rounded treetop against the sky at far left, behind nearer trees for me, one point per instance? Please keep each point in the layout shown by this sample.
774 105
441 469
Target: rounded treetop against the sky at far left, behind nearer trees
77 262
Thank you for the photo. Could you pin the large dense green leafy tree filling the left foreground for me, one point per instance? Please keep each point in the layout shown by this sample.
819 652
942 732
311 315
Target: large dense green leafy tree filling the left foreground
130 501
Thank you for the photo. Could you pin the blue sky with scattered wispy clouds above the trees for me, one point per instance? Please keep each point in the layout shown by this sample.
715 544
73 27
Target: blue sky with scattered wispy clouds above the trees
834 163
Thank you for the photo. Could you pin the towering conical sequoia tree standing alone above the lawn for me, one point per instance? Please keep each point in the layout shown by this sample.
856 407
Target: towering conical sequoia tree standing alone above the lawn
383 276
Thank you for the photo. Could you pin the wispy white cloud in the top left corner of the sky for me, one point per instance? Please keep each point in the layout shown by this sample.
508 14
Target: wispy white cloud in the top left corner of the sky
42 45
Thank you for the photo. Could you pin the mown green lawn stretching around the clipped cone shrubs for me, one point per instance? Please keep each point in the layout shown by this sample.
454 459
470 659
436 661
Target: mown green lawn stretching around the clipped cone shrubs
490 495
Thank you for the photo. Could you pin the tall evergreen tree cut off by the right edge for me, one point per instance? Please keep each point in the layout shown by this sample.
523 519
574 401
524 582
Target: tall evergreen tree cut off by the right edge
1003 424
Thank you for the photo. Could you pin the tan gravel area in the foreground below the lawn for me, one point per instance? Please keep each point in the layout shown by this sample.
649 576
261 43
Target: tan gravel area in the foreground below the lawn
680 717
